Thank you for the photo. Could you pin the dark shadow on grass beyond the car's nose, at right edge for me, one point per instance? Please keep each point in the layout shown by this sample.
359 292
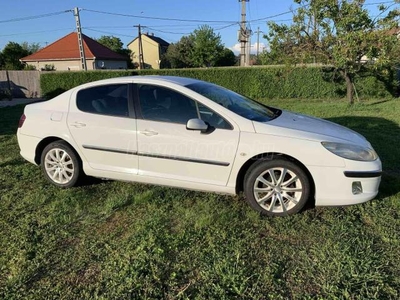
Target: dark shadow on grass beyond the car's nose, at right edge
384 135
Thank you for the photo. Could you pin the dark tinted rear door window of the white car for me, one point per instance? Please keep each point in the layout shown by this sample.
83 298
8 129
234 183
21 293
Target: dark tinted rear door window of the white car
105 100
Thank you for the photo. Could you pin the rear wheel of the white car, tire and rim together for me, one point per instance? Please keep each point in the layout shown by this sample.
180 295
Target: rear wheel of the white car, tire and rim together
61 165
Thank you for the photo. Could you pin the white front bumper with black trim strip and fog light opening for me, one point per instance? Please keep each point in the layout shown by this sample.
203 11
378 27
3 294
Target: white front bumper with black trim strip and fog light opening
334 186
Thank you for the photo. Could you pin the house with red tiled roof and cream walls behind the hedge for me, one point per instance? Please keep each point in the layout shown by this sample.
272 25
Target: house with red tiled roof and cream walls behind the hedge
64 55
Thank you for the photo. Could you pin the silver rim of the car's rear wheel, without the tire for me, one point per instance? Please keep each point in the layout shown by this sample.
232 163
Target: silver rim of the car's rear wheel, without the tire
59 166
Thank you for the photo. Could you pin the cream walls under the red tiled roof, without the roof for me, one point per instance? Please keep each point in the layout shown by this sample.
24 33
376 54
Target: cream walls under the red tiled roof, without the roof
75 65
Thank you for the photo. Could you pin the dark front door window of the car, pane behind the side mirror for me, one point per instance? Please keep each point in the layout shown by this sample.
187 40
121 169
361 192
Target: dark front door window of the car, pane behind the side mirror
165 105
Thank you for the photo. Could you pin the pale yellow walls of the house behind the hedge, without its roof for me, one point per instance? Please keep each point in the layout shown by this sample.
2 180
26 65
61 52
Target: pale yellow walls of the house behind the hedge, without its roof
151 52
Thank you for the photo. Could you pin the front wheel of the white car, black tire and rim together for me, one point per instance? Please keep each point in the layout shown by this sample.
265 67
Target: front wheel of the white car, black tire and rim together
276 187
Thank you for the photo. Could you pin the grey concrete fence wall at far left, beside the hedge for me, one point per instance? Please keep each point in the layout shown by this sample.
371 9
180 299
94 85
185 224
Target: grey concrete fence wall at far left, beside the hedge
24 84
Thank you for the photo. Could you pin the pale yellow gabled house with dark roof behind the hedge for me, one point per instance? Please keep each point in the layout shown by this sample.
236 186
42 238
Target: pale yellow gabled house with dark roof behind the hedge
153 49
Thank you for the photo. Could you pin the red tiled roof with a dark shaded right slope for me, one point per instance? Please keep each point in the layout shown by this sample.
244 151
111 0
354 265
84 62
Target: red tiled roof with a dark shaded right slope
67 48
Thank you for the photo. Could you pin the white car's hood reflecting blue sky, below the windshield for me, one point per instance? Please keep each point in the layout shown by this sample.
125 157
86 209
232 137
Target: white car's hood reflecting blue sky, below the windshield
305 127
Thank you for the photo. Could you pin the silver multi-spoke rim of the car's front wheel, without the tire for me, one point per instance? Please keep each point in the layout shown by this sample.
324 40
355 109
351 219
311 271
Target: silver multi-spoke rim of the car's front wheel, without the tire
278 190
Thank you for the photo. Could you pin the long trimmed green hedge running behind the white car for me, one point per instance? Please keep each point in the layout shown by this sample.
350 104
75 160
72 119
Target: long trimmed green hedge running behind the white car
256 82
